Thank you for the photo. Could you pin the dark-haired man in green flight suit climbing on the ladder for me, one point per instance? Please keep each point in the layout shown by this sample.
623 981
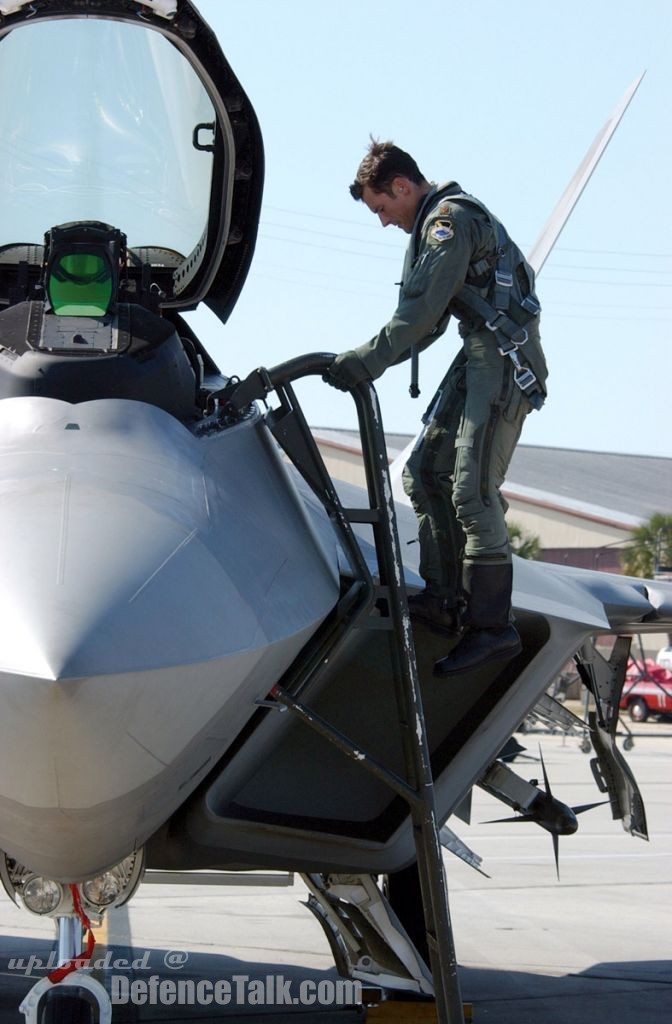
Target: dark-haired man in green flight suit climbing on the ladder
460 262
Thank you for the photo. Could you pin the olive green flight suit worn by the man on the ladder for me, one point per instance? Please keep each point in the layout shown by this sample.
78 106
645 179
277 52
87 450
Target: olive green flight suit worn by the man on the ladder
458 466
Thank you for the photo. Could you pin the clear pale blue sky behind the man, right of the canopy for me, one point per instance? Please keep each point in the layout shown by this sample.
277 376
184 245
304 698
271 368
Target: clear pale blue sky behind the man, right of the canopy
507 99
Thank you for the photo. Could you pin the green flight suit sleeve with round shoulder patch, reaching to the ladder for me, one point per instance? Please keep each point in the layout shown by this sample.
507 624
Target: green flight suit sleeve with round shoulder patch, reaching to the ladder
446 250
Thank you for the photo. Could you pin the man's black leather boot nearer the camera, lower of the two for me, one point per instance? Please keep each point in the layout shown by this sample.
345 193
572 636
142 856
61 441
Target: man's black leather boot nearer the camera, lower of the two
492 637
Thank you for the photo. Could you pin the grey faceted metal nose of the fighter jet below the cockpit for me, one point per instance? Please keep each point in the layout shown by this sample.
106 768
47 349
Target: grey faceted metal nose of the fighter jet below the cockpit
144 610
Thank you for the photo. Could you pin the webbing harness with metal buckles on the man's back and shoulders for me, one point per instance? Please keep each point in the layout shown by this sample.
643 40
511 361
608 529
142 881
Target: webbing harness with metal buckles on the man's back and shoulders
502 289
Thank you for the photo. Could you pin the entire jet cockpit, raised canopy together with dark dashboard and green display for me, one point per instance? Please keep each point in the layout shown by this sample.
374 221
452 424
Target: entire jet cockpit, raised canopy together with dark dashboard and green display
130 192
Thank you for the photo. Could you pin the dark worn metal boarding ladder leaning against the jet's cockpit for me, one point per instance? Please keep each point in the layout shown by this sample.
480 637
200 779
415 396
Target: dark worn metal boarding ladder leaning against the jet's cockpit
366 604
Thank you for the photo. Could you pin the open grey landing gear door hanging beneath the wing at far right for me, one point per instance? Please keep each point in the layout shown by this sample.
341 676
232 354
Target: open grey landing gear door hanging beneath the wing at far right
605 678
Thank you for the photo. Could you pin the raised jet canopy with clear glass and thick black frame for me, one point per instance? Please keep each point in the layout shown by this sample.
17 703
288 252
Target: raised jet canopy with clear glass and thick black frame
129 114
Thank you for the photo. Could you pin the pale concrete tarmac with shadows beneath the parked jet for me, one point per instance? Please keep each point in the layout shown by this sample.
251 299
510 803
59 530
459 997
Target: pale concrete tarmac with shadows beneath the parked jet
596 947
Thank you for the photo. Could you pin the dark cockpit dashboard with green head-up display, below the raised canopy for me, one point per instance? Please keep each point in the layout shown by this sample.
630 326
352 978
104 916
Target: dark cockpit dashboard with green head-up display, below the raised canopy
88 328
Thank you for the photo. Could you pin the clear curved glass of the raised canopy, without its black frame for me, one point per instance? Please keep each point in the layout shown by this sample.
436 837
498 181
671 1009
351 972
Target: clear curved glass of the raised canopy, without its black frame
102 125
